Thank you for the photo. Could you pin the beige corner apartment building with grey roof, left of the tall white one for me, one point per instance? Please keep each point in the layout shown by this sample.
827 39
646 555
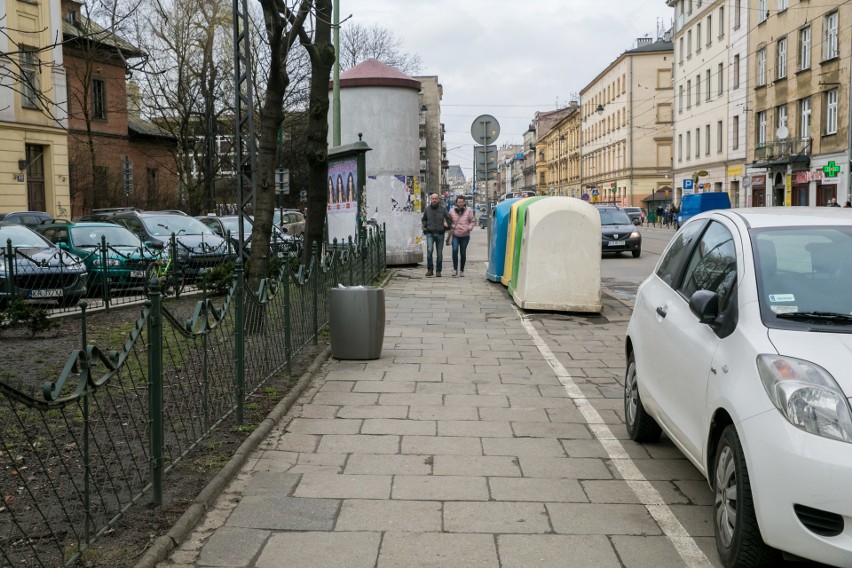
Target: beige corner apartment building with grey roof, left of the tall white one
626 121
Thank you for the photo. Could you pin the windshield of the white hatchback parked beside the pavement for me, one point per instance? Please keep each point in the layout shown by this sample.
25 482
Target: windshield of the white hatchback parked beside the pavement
804 274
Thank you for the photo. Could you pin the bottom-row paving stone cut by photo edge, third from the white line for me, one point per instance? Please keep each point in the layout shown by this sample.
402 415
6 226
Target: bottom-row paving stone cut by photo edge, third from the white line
438 550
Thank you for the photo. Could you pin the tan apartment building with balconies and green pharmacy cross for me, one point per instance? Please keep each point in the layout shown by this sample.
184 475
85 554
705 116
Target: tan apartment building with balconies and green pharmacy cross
798 149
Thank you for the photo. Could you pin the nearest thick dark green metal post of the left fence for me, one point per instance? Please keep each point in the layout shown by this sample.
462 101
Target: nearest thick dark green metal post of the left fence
155 390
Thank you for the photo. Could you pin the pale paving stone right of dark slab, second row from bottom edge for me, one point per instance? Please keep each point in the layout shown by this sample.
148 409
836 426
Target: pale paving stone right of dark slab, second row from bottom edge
380 516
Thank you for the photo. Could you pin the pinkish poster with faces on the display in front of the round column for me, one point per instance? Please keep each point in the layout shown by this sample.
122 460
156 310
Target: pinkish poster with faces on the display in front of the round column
342 207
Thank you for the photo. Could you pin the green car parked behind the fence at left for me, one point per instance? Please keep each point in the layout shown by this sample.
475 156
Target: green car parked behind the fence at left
123 262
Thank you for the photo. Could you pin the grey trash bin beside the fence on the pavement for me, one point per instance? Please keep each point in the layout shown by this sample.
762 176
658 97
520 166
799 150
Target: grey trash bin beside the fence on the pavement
356 321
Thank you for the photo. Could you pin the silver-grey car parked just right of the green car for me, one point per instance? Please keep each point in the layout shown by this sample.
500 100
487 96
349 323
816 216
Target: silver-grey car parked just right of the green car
197 248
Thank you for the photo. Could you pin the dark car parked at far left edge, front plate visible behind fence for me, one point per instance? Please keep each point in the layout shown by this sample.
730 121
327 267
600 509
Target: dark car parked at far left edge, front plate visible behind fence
37 269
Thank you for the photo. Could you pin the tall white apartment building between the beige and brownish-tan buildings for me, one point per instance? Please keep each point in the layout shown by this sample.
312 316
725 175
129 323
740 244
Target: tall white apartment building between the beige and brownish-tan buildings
702 97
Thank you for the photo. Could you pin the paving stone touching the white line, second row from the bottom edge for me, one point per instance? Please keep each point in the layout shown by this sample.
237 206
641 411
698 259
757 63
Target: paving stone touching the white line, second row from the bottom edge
598 518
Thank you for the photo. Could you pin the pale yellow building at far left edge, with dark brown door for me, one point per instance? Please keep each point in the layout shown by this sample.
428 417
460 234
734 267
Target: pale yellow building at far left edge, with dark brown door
33 137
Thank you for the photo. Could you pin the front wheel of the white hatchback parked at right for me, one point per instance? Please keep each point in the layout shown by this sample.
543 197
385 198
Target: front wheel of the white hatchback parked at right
738 539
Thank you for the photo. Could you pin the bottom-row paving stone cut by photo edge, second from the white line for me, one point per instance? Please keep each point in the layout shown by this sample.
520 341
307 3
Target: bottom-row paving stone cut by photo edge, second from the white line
557 551
